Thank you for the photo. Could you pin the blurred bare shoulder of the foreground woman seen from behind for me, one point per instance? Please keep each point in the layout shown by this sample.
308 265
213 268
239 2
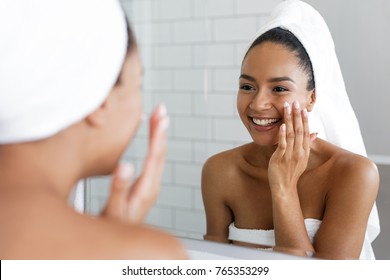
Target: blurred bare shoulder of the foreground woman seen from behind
47 229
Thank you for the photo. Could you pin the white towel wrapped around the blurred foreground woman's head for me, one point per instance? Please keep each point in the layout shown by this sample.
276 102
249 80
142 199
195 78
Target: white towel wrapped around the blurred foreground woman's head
58 62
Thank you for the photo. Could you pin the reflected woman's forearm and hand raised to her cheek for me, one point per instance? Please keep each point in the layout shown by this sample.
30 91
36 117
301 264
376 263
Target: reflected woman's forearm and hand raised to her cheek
286 166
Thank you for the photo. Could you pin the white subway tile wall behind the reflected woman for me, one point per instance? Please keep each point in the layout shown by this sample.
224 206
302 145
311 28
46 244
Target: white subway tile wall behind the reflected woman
191 52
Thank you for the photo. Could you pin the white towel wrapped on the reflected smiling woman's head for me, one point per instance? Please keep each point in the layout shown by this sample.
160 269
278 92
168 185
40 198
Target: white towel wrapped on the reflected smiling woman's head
333 117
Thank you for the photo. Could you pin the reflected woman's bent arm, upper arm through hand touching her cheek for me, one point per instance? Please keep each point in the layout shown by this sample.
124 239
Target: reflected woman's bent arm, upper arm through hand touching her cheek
352 191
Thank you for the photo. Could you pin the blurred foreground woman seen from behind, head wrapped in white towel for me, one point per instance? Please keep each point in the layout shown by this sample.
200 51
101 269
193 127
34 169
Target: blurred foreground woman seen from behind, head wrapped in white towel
69 105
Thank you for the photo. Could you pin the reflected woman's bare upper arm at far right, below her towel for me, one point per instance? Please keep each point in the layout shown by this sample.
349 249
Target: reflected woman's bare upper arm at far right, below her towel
353 191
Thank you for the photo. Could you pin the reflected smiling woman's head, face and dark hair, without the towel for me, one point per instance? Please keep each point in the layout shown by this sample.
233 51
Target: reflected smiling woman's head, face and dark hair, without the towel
275 66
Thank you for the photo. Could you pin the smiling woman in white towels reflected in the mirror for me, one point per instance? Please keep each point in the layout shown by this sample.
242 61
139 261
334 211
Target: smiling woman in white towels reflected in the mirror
289 189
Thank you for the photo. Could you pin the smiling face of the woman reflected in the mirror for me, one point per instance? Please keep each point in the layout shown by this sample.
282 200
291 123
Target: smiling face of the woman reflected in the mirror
270 76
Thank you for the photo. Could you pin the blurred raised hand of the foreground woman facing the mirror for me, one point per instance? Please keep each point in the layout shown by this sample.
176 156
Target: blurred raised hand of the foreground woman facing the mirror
130 202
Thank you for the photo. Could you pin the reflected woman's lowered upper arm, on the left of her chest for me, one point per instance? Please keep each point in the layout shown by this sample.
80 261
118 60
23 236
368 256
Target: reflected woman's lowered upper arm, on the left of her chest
218 214
